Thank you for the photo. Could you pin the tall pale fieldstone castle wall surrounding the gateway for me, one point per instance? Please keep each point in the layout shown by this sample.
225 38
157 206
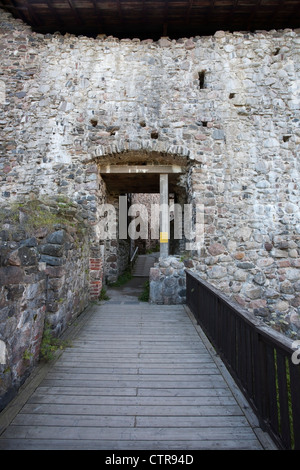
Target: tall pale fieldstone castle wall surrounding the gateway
227 103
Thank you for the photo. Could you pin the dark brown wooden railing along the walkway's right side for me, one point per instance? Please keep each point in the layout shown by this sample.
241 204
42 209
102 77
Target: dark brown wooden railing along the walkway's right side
261 360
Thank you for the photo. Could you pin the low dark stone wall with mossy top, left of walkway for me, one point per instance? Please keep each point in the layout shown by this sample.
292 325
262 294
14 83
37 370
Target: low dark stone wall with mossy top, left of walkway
44 280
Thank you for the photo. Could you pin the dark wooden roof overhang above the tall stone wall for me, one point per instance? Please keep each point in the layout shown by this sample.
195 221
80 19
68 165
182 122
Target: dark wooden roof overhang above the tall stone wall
154 18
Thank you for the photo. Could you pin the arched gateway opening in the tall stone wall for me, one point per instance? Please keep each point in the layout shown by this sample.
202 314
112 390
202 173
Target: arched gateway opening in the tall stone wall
143 190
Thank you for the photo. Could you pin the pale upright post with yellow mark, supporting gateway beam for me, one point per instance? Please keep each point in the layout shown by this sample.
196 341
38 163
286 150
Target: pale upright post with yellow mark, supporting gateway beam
164 215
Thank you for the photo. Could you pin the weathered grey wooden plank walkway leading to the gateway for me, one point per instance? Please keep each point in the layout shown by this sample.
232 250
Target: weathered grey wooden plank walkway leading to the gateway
137 376
